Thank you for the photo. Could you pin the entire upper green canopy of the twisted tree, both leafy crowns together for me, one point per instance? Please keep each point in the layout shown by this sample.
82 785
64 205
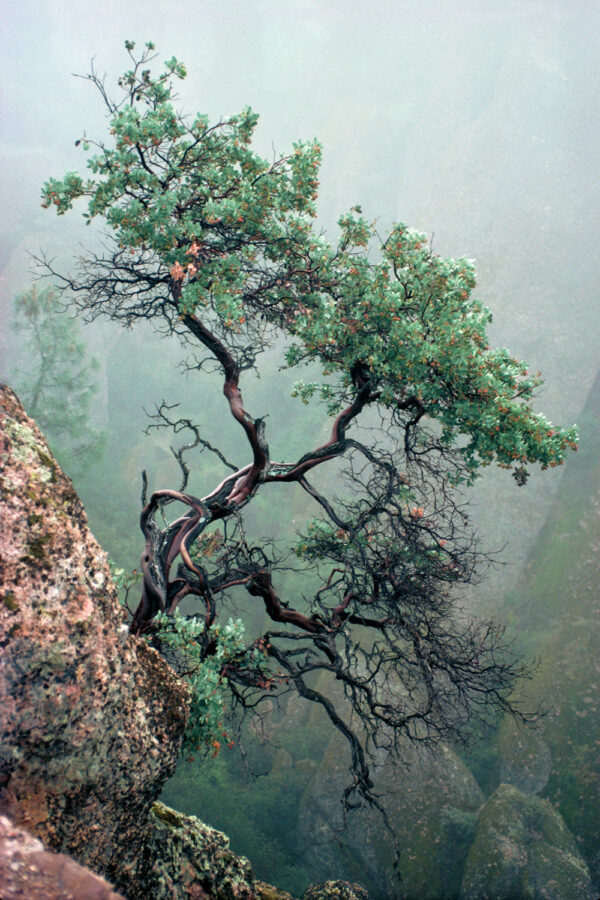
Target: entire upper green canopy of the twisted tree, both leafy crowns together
230 235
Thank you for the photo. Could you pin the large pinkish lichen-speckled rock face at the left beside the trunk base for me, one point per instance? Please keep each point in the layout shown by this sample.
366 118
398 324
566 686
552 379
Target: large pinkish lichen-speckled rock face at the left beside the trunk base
91 719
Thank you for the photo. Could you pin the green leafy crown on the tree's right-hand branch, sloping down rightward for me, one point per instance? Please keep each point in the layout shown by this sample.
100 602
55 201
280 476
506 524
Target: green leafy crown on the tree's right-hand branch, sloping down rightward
413 320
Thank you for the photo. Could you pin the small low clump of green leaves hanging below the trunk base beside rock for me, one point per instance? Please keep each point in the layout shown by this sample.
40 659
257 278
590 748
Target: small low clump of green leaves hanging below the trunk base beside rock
184 639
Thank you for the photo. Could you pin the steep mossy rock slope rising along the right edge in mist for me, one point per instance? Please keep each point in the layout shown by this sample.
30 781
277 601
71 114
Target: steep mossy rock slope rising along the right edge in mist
556 609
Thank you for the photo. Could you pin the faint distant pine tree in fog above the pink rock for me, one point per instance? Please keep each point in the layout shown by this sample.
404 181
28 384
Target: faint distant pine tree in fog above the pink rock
56 377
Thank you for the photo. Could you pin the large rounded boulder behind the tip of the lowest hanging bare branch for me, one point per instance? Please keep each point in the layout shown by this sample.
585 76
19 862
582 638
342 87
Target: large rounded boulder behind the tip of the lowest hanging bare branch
431 801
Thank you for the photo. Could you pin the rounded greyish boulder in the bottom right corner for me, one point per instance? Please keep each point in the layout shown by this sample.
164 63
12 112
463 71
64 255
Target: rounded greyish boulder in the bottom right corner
523 849
